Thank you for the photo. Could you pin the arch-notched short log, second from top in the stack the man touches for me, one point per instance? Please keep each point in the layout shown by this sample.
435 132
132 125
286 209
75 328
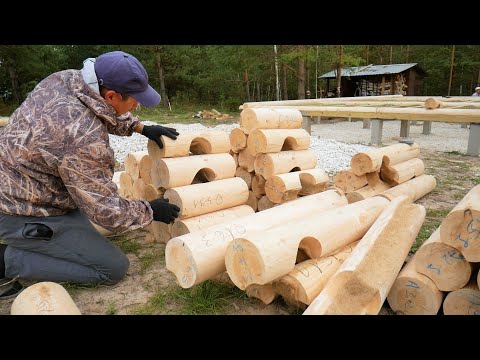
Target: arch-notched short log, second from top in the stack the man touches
174 172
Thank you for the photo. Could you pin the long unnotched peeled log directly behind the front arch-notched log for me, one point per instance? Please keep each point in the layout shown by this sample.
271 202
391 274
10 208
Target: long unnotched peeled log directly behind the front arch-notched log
199 256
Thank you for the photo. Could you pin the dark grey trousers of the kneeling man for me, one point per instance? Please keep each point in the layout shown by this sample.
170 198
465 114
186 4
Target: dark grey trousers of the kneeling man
60 248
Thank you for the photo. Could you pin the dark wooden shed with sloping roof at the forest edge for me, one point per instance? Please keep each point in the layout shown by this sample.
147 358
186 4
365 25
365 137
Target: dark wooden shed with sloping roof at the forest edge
404 79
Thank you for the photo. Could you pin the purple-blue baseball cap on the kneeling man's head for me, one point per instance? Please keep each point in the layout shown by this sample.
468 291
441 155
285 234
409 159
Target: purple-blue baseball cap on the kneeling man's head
123 73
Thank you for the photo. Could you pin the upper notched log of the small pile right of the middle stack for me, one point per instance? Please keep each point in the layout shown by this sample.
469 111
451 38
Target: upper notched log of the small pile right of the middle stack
371 161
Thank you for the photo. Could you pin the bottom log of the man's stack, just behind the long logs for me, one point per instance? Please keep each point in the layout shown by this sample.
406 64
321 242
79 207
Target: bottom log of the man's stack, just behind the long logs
197 223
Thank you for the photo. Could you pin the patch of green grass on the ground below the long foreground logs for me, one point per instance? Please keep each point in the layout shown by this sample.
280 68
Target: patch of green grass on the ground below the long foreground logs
208 297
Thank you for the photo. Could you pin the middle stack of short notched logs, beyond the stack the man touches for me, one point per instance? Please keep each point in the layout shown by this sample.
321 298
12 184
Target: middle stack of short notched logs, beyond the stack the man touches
273 157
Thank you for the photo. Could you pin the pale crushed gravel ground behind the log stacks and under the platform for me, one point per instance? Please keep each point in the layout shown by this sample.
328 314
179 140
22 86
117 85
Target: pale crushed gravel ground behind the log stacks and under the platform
334 144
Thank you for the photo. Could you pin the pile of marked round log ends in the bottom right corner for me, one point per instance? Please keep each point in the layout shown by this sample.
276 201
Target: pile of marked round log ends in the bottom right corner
445 268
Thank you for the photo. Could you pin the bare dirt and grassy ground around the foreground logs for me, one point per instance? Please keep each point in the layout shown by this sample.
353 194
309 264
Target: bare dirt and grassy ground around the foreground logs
150 289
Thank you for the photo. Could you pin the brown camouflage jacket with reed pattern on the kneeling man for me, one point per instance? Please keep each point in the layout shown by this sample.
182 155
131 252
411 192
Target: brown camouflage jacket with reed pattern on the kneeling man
55 156
